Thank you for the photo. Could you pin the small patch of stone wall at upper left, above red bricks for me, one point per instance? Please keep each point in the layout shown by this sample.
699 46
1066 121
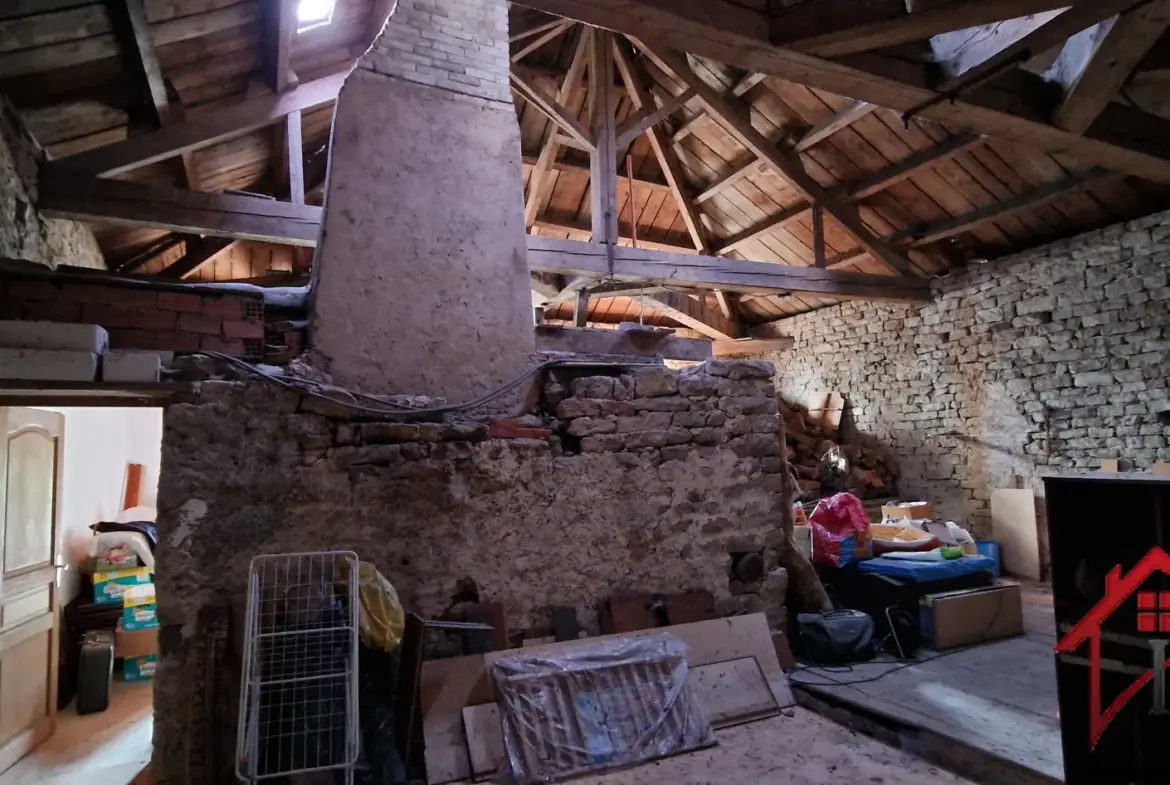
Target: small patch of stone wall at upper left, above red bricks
24 233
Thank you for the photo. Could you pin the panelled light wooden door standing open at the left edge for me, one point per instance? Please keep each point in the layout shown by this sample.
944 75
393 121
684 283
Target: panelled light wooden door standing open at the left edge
30 477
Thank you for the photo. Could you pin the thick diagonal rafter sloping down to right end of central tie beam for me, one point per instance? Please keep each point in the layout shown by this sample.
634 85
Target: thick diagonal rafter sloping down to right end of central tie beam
786 164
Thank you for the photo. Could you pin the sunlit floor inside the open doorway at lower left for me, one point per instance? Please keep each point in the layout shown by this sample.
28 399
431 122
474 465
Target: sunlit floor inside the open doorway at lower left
109 748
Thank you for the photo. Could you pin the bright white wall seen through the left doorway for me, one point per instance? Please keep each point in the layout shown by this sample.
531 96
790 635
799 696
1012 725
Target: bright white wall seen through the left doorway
99 445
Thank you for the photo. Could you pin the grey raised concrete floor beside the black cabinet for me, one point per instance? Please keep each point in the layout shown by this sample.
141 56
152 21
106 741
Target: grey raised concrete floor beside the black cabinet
989 713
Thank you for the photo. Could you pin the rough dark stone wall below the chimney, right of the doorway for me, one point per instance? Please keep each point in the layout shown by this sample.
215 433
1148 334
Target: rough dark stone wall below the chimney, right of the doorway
649 481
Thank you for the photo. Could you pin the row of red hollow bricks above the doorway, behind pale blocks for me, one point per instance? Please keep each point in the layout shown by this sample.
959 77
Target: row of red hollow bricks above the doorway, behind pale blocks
142 316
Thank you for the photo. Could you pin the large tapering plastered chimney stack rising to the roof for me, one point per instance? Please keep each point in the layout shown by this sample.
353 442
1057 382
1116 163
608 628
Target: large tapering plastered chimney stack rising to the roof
422 278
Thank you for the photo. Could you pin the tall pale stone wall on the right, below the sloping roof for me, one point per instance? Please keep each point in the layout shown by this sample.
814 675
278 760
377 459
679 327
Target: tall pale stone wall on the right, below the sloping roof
1048 361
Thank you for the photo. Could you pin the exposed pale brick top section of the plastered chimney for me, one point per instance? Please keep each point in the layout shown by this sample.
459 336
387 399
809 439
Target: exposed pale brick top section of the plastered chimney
460 46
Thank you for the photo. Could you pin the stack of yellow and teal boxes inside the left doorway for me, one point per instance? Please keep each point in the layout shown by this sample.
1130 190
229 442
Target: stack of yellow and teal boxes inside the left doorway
136 638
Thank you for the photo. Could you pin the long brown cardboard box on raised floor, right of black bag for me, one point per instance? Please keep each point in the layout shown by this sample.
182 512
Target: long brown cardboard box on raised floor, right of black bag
972 616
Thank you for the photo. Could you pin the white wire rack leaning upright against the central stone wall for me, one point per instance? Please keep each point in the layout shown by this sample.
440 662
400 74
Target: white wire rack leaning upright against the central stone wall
299 700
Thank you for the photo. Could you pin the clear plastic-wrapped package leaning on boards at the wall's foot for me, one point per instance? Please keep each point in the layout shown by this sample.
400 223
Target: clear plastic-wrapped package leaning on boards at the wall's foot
597 707
